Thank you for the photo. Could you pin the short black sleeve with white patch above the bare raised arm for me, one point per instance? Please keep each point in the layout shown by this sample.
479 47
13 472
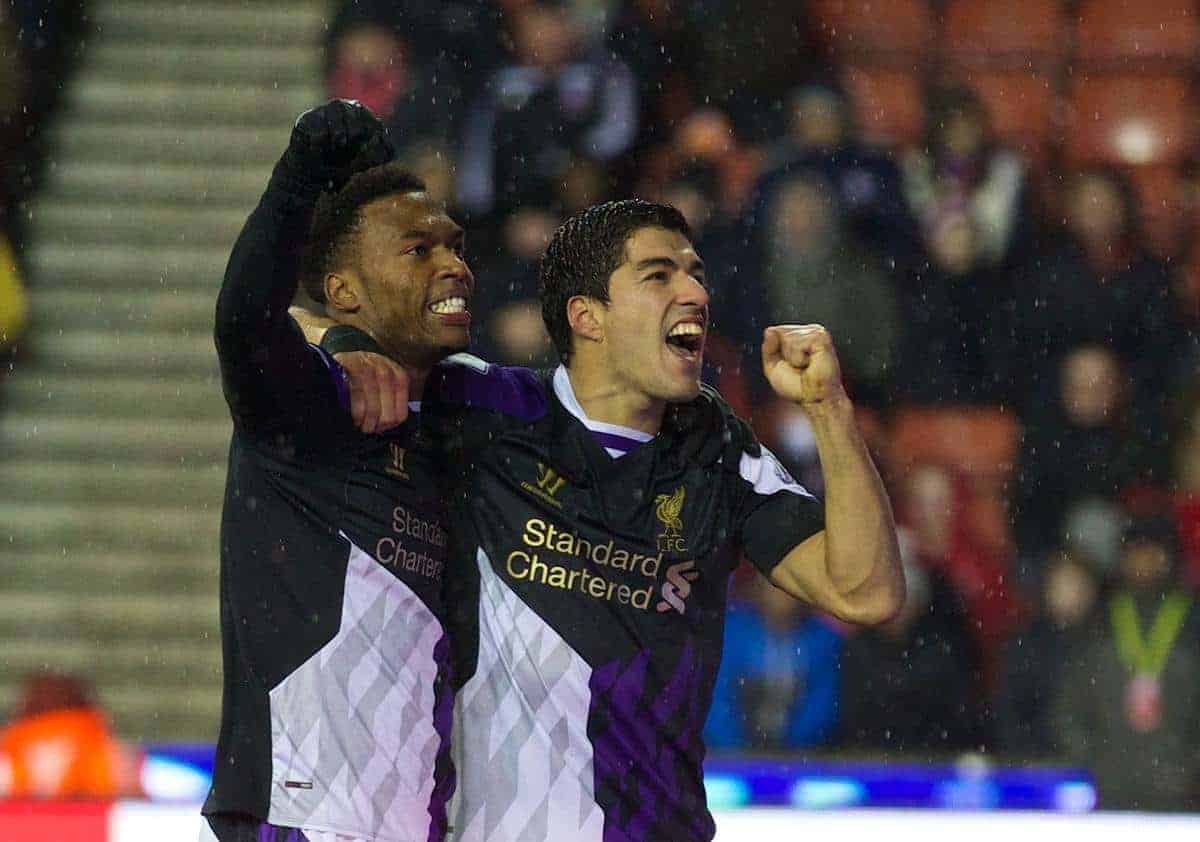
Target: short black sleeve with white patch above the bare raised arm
778 513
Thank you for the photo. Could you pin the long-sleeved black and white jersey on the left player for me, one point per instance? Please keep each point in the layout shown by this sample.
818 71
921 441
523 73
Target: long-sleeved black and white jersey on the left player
338 696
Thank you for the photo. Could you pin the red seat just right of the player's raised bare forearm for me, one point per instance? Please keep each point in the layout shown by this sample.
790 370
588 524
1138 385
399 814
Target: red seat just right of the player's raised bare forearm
979 442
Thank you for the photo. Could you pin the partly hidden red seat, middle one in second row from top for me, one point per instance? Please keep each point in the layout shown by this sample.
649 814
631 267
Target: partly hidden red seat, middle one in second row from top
1022 106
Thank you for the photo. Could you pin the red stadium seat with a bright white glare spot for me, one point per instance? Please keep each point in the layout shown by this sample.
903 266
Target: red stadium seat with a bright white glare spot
1130 119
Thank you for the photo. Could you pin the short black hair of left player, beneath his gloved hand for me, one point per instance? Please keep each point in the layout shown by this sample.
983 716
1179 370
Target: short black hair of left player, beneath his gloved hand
338 216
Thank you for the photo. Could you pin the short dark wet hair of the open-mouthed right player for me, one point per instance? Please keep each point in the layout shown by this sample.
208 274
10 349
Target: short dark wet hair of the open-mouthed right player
586 251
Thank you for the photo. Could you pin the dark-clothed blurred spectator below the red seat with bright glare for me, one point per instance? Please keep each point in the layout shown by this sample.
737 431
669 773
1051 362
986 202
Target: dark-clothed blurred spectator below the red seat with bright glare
1099 286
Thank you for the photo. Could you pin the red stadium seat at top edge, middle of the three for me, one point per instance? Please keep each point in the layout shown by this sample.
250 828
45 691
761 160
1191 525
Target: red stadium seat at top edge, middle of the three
1015 33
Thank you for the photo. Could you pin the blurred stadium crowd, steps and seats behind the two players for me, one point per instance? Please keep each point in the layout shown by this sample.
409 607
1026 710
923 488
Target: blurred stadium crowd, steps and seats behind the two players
992 205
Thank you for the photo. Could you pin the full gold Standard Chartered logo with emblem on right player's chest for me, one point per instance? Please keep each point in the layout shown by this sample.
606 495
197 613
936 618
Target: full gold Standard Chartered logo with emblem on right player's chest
544 545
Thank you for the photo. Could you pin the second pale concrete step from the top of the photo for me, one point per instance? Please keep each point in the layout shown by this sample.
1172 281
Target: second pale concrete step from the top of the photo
139 62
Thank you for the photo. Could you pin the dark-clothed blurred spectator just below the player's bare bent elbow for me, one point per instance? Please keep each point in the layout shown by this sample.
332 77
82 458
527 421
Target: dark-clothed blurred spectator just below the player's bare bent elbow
908 687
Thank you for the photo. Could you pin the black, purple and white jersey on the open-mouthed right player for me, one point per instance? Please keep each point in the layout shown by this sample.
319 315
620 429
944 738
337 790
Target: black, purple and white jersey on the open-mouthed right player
589 594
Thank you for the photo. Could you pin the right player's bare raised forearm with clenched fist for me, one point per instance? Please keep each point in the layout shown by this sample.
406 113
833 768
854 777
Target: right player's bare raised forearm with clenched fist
851 569
